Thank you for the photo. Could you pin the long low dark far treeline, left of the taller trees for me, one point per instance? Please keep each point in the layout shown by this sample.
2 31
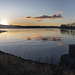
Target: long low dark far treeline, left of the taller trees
18 26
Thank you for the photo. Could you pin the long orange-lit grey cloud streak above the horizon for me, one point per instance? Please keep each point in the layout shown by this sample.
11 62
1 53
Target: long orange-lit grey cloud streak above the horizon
39 18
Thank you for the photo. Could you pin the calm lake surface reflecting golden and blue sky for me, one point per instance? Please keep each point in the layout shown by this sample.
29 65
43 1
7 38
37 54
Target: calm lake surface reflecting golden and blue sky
37 44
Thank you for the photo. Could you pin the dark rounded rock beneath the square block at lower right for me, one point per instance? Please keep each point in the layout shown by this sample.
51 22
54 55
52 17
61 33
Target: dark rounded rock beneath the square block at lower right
67 62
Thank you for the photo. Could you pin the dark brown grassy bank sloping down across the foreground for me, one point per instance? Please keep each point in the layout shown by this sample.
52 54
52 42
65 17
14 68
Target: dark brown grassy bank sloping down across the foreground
13 65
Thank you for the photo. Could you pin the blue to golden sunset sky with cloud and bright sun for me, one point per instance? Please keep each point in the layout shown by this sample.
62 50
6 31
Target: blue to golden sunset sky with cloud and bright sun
37 12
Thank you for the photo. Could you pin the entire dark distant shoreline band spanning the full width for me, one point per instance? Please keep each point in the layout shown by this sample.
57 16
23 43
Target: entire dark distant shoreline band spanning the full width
29 27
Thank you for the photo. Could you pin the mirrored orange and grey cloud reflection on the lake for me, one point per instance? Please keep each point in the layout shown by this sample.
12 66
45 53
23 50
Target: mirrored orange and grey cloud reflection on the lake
57 40
